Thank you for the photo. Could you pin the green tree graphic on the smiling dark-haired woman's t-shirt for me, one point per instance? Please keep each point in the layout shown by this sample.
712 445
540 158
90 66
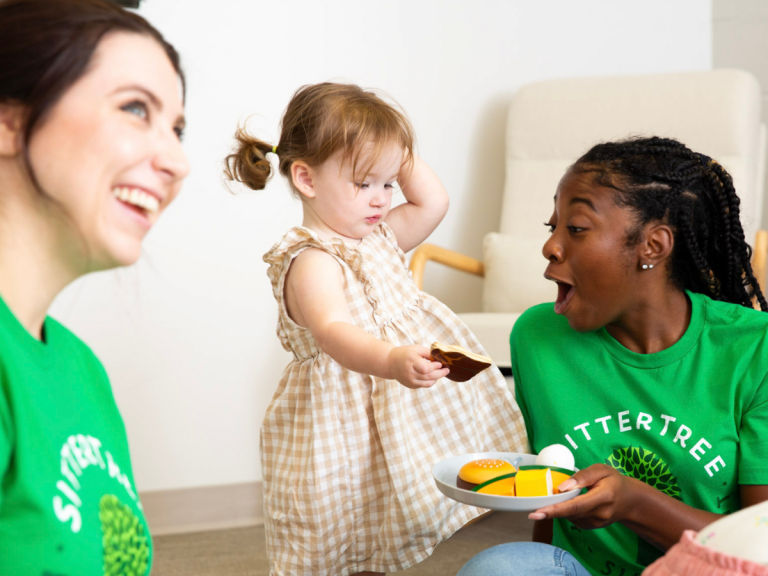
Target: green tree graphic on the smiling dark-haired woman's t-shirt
126 551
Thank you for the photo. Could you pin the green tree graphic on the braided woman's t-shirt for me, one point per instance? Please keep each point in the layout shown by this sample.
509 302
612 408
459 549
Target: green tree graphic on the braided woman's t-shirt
644 465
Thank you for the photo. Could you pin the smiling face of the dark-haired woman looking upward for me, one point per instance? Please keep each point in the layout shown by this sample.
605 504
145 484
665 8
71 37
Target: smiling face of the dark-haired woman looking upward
120 124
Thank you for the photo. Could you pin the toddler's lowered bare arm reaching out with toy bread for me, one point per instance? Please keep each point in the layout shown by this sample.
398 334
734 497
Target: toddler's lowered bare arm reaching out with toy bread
314 295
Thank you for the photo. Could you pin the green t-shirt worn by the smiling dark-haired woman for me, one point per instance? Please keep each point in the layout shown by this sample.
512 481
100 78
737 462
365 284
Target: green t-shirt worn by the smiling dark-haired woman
68 505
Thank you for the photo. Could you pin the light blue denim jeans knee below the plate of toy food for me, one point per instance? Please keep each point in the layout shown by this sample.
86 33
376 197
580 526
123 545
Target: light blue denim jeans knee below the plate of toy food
523 559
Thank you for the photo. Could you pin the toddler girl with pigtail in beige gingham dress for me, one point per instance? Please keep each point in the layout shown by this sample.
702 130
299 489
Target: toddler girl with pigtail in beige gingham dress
362 413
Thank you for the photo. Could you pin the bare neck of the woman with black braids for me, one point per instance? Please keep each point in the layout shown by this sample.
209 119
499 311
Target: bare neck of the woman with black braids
655 323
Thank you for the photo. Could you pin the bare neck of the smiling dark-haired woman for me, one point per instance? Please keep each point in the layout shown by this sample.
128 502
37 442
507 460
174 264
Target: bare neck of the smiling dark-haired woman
35 257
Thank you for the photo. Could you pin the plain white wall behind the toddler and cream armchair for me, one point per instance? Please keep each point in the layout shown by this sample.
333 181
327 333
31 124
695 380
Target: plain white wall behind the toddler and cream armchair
188 334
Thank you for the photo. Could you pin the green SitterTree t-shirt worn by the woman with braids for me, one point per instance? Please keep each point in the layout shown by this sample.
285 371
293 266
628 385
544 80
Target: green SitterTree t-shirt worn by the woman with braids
691 420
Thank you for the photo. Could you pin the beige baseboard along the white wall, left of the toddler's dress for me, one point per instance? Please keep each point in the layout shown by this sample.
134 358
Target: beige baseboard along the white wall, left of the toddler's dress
204 508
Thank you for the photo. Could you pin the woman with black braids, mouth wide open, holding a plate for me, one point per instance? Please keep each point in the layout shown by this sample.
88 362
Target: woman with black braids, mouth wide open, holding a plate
651 365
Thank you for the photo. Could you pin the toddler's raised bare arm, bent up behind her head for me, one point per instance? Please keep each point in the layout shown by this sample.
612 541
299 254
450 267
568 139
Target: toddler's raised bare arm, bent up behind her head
426 206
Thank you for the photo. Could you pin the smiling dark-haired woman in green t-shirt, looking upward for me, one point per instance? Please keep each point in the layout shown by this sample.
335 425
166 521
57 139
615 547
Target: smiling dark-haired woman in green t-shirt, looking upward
91 116
